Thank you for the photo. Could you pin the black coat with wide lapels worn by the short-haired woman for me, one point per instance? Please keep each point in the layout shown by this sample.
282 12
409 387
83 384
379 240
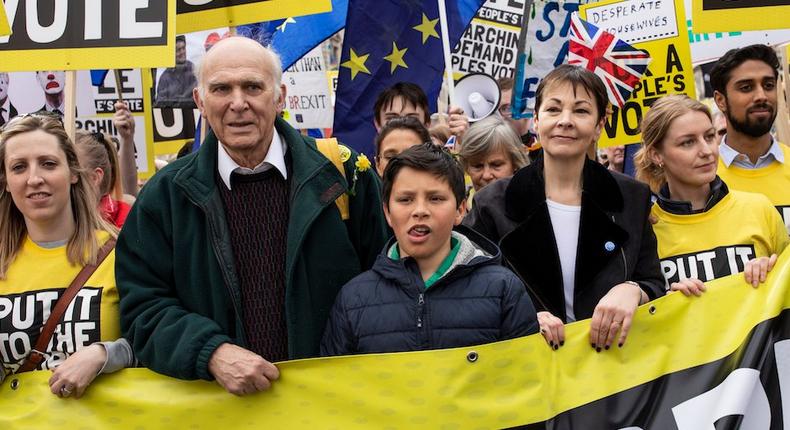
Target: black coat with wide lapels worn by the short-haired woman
616 240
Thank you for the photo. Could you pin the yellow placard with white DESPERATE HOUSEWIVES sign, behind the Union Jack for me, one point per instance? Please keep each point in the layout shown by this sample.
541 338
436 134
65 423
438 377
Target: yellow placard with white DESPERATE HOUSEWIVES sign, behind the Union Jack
663 33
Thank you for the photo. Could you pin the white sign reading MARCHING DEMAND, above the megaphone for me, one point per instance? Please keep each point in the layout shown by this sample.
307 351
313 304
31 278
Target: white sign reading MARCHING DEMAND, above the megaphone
490 43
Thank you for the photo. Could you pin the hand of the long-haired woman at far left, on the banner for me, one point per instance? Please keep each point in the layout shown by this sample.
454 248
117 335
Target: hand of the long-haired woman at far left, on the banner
71 378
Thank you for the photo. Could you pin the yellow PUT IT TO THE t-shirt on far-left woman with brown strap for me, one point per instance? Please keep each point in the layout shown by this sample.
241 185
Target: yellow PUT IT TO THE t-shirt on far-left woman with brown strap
36 280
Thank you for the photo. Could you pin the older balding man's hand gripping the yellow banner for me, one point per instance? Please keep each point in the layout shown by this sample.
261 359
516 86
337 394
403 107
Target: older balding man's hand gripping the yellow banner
240 371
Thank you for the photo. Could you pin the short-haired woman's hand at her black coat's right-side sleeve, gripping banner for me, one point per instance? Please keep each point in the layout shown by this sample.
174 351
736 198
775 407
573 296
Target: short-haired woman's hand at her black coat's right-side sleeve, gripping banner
613 314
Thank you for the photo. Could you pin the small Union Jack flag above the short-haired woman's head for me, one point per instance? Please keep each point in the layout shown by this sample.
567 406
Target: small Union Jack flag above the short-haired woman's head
617 63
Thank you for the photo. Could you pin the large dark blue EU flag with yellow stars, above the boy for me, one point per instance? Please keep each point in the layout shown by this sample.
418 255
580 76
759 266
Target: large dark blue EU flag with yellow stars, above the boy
386 42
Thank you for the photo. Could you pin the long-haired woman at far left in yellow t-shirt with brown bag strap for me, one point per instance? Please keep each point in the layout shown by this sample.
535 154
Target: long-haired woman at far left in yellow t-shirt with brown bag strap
51 229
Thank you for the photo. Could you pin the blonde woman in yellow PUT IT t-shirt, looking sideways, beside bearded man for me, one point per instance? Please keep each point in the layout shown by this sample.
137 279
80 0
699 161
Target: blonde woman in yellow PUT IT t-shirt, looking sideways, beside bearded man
704 230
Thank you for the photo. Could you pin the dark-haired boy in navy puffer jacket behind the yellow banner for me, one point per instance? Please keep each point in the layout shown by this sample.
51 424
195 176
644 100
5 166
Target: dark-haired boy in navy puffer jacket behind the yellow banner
432 287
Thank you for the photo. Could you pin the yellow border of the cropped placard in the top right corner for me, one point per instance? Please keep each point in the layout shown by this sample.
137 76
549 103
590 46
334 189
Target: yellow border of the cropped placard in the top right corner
740 18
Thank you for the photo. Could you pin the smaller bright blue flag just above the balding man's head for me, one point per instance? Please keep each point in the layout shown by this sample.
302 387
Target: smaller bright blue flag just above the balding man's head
292 38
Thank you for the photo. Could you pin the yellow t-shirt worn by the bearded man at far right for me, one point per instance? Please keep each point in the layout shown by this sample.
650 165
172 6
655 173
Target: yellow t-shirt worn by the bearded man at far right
772 181
